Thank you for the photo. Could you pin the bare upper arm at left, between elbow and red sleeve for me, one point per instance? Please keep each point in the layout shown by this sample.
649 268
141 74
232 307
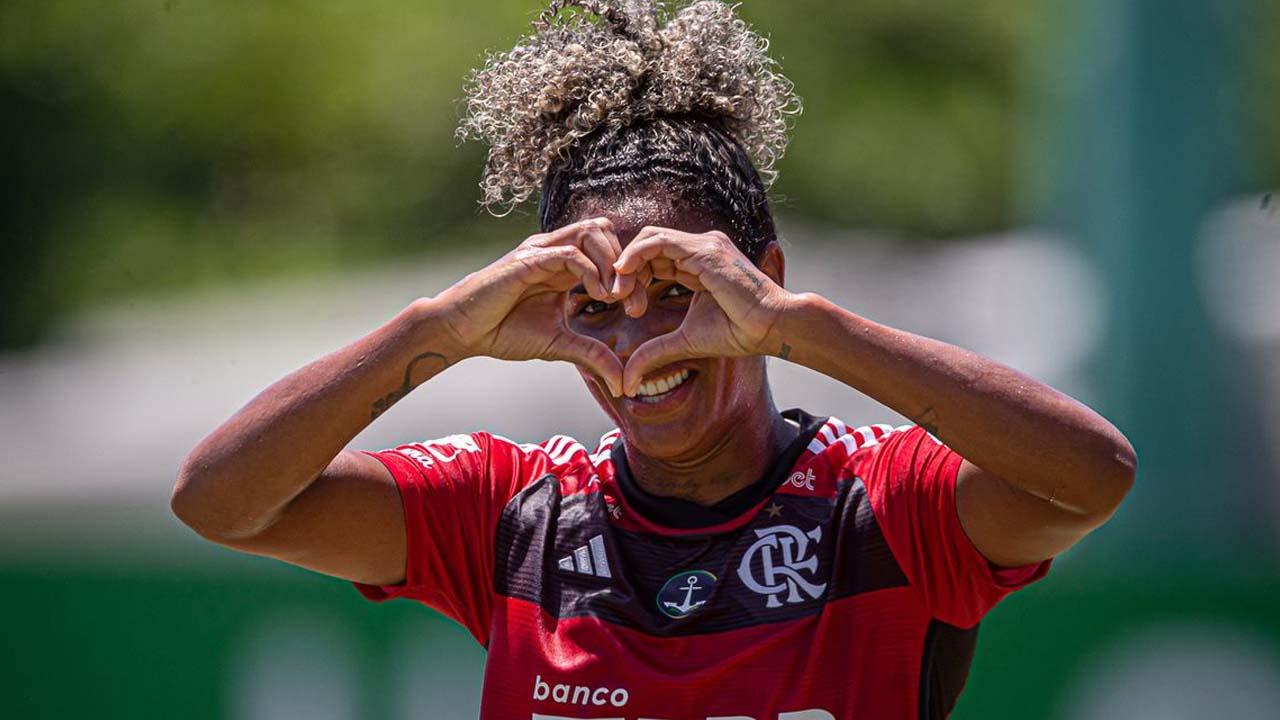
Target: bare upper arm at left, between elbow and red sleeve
349 523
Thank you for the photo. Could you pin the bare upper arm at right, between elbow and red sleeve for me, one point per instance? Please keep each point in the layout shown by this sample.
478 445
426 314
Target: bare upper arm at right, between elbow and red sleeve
1012 527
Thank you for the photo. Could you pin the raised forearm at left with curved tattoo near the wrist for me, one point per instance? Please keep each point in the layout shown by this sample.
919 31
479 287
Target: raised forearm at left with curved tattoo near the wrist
240 477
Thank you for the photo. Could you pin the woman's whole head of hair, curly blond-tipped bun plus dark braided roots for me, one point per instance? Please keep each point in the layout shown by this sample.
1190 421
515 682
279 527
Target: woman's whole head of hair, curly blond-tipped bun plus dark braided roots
612 97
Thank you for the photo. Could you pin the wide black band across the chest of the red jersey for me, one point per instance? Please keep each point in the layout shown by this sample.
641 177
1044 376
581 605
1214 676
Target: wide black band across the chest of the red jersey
538 527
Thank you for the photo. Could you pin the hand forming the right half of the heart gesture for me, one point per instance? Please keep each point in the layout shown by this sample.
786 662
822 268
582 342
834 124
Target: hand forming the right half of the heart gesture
734 312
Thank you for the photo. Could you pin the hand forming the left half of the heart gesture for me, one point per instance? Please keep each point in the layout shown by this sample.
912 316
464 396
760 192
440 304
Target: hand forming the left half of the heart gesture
514 309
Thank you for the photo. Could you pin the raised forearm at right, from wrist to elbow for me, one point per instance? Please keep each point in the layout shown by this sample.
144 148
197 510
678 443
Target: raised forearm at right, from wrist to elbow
1011 426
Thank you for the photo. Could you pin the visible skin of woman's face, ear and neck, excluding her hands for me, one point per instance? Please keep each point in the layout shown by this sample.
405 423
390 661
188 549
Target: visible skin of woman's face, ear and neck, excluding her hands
723 431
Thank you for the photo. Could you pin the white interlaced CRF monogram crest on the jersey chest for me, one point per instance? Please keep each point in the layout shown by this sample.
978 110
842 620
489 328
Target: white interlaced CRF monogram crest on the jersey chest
776 563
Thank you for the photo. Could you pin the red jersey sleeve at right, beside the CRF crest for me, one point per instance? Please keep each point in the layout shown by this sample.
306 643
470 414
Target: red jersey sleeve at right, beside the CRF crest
911 481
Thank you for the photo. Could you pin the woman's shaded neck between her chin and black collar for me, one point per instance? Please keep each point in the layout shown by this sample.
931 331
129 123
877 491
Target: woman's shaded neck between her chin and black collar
730 463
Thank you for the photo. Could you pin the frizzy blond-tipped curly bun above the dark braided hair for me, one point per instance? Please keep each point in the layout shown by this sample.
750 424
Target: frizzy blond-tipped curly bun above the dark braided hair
598 63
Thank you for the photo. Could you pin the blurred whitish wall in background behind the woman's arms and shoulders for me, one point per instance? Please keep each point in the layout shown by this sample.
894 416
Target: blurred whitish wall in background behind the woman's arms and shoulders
94 427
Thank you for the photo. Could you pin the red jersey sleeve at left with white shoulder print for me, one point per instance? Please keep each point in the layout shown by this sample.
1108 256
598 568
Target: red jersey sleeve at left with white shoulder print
452 491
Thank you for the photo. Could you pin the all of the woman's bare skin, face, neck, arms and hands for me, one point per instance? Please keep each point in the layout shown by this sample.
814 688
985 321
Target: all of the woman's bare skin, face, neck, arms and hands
630 304
